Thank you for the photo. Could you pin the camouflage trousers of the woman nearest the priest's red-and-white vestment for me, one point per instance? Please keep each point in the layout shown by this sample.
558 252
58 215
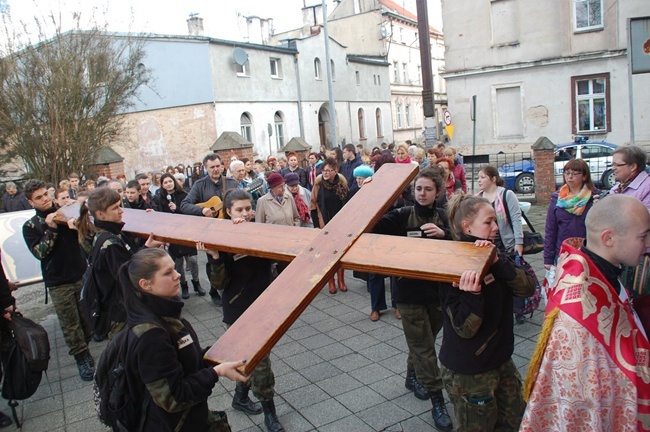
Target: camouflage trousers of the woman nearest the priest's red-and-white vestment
489 401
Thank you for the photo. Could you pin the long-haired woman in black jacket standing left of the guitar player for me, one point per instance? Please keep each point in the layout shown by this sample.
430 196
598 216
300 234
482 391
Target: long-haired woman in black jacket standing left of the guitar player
167 200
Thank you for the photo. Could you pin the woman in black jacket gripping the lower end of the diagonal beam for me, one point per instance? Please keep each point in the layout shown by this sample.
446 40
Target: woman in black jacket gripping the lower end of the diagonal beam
163 351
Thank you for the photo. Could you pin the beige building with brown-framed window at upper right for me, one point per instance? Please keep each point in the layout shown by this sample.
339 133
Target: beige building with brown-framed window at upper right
555 68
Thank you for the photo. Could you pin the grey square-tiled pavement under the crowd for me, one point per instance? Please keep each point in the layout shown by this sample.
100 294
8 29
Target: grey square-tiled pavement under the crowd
335 369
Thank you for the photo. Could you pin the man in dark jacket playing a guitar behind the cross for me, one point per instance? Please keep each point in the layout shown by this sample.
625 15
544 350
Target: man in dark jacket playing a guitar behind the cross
214 184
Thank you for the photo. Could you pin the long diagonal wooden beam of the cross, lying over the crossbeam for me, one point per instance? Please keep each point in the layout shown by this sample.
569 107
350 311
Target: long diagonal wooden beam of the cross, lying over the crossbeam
253 335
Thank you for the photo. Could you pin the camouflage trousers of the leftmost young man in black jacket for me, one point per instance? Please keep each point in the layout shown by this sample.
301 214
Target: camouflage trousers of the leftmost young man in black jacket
76 331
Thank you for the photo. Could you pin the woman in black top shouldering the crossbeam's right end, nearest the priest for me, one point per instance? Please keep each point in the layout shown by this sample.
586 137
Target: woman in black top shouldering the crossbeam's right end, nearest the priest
478 339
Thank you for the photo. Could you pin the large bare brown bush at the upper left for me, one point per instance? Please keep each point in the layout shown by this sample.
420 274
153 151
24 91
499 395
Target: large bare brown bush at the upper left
61 97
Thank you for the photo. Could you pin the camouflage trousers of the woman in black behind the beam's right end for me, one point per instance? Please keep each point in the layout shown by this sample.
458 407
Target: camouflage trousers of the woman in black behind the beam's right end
421 324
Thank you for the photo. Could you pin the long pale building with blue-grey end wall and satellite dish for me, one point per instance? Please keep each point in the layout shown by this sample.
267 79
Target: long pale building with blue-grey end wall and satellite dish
268 93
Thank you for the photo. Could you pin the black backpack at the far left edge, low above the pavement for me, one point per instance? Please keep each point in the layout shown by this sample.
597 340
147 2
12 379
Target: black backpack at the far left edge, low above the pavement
28 359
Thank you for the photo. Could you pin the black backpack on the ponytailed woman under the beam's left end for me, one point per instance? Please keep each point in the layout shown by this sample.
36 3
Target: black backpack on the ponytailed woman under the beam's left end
95 313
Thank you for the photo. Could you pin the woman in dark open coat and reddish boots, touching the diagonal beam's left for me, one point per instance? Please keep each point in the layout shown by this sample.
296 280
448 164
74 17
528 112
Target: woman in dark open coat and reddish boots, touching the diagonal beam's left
327 199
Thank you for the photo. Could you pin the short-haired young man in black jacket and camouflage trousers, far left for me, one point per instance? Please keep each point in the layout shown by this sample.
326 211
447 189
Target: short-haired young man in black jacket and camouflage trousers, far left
63 265
